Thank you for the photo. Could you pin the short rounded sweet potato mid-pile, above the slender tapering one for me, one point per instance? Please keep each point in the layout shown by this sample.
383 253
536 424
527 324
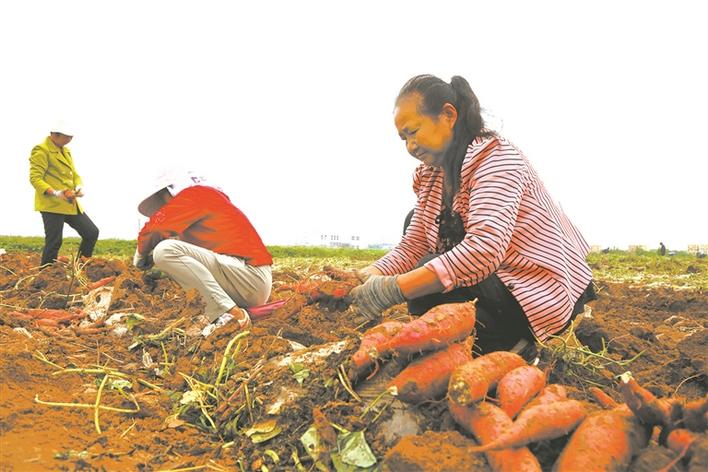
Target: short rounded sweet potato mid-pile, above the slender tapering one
518 387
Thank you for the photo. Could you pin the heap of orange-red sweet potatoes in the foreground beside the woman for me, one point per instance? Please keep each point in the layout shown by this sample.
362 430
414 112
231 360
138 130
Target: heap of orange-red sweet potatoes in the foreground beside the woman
507 405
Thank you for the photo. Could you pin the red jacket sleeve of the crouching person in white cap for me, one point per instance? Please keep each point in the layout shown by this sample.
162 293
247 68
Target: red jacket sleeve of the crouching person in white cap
170 221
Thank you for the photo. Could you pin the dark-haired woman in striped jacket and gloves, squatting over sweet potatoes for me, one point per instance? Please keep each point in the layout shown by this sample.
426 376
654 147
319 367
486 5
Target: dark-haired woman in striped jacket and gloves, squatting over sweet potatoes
483 227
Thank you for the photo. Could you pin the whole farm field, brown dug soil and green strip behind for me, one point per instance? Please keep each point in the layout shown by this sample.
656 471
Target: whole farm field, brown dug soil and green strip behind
80 394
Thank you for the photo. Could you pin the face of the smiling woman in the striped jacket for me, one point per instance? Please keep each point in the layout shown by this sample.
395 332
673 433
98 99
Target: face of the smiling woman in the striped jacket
427 137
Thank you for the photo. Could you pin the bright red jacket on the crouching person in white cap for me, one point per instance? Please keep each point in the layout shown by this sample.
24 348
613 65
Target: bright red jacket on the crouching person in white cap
205 217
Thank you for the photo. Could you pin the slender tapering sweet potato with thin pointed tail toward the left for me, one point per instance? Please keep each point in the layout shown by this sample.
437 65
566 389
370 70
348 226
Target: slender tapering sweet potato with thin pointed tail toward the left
538 424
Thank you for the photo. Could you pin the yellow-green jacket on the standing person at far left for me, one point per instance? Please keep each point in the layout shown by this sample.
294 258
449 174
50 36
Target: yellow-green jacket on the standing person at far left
52 167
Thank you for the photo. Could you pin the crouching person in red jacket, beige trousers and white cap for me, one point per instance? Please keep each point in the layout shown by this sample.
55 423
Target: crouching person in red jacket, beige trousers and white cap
197 236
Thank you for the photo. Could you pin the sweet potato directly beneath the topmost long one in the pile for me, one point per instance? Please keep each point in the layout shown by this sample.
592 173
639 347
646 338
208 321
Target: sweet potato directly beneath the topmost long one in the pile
427 377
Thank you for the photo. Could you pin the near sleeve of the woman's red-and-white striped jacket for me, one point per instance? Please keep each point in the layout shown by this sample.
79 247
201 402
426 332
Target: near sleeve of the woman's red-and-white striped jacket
495 198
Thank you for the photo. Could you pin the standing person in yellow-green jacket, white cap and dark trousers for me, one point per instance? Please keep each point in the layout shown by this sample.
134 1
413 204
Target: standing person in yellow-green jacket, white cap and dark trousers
57 190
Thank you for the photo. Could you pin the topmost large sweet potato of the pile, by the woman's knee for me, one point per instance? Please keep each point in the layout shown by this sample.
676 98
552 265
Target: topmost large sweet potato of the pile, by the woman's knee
436 329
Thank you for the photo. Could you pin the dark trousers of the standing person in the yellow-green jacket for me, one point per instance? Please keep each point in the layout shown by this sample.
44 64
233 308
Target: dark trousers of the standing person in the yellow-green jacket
54 229
